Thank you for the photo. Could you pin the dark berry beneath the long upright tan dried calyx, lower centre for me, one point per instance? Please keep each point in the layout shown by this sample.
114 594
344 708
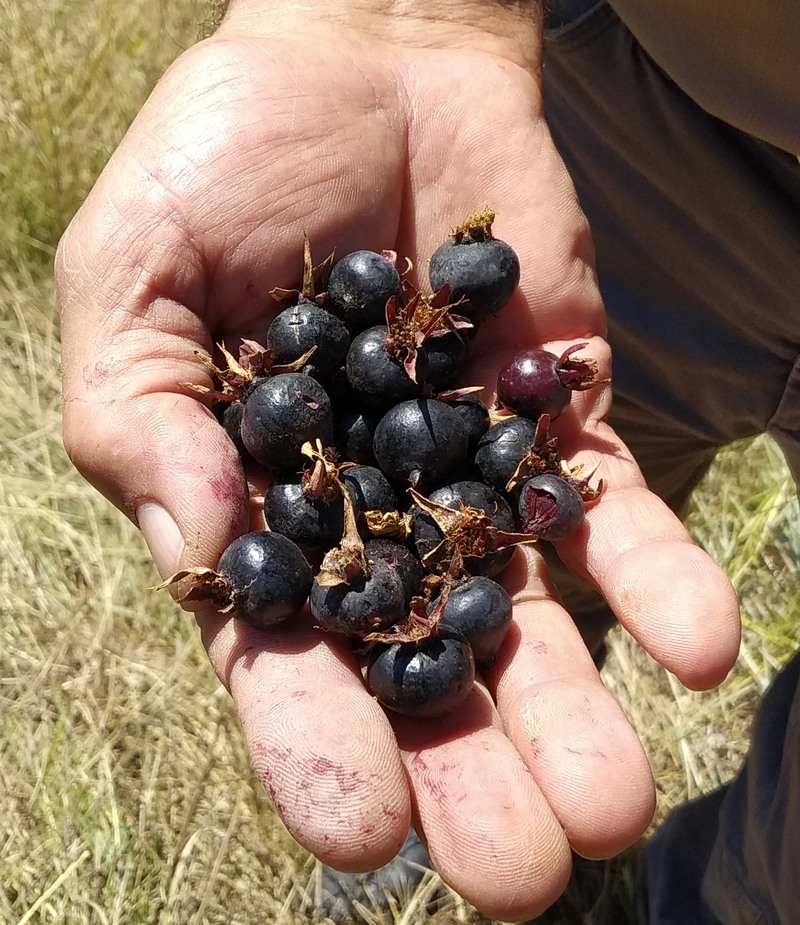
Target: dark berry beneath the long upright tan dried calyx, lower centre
360 606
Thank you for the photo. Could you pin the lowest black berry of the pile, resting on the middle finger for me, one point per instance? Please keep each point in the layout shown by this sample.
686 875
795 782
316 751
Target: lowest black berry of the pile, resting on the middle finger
424 679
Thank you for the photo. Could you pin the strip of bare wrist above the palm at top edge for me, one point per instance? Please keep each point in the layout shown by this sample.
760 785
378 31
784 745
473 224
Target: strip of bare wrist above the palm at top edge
510 28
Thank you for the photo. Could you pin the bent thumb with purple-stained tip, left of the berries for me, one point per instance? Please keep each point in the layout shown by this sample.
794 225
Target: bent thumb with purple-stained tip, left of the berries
132 428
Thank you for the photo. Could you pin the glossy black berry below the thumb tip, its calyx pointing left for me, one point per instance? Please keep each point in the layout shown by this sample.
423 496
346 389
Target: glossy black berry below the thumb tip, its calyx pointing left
268 575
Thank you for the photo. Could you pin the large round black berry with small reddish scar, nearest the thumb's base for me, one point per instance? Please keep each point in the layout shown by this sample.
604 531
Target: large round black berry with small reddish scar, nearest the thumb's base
280 415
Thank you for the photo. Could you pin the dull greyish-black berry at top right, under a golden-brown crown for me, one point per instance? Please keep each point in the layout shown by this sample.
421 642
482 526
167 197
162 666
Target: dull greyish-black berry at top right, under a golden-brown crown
485 271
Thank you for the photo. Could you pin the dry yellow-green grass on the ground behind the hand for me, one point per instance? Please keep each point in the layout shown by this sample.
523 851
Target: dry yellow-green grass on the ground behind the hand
125 791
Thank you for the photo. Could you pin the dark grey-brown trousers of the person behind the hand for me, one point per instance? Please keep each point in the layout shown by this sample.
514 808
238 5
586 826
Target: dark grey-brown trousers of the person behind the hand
697 231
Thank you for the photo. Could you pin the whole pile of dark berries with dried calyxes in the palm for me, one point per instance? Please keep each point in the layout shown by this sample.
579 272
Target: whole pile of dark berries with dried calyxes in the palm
397 498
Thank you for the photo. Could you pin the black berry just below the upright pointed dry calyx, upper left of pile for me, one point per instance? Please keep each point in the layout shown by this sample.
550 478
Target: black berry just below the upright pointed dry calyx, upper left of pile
305 325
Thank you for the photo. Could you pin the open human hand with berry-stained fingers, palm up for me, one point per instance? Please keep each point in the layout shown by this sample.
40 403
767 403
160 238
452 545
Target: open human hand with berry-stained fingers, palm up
376 133
